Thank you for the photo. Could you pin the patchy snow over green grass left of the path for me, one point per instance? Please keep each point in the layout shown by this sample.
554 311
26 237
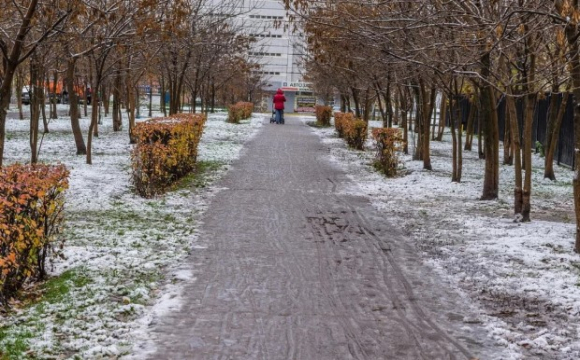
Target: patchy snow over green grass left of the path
122 252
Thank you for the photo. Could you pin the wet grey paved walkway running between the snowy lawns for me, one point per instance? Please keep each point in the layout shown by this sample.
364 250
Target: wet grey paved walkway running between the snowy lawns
294 270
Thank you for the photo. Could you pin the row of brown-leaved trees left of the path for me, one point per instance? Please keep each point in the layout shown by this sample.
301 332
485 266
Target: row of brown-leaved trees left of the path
109 48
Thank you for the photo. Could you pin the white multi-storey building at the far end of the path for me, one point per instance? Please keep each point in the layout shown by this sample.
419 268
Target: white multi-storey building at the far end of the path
279 51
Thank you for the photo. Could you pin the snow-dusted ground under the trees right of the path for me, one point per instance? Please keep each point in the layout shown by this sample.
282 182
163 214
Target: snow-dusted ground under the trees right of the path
524 277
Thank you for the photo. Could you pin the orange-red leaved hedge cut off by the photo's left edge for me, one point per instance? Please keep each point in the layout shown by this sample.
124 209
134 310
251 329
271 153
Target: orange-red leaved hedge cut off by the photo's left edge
31 216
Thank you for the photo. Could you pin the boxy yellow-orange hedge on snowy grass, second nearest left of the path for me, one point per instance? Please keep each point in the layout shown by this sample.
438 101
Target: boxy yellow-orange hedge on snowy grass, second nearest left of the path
165 151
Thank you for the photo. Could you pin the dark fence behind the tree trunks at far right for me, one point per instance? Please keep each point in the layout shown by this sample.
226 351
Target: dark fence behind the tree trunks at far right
565 150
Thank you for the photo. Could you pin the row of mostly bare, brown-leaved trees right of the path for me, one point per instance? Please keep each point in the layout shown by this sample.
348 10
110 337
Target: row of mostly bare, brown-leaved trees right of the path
403 55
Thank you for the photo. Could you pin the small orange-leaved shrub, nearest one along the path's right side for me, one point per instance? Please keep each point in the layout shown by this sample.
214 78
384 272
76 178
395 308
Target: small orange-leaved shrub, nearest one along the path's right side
388 142
